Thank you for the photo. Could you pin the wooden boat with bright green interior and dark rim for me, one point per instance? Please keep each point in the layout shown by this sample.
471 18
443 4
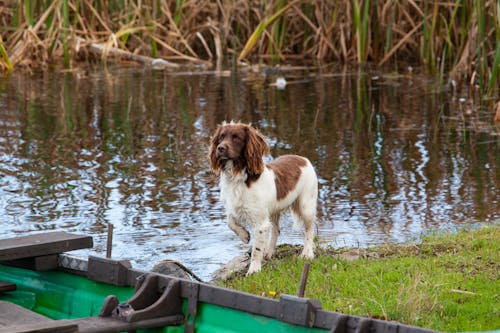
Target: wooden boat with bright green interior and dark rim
44 289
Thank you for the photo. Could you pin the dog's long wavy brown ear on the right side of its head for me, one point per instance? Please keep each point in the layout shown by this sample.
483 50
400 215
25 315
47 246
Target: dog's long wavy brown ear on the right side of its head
256 148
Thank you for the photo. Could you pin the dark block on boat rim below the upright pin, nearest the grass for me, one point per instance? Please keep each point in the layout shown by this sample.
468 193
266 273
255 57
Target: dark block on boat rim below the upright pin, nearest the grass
298 310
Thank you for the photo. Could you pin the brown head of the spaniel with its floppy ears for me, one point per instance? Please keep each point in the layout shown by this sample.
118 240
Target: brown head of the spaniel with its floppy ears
241 145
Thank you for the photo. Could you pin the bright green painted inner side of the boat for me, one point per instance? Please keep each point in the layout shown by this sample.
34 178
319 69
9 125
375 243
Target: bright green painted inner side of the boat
60 295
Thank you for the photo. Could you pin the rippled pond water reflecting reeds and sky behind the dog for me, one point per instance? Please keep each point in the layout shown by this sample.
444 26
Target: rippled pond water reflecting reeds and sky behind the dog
396 156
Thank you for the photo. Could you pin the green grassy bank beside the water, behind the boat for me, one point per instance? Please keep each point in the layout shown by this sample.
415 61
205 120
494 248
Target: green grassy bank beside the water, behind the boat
448 282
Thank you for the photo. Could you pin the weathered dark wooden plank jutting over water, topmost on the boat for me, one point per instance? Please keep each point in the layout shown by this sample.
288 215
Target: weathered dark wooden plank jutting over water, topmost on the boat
42 244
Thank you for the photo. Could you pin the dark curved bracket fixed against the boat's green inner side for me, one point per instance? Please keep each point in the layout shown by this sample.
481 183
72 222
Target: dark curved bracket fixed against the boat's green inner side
148 301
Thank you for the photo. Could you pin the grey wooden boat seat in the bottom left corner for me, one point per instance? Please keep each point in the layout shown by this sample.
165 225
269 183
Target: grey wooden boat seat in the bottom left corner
16 319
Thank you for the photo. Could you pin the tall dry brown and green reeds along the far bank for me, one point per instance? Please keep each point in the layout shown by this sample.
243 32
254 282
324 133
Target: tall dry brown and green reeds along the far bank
459 37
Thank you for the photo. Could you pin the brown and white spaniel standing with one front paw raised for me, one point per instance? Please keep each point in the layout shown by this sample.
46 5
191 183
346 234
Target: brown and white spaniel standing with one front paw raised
254 193
